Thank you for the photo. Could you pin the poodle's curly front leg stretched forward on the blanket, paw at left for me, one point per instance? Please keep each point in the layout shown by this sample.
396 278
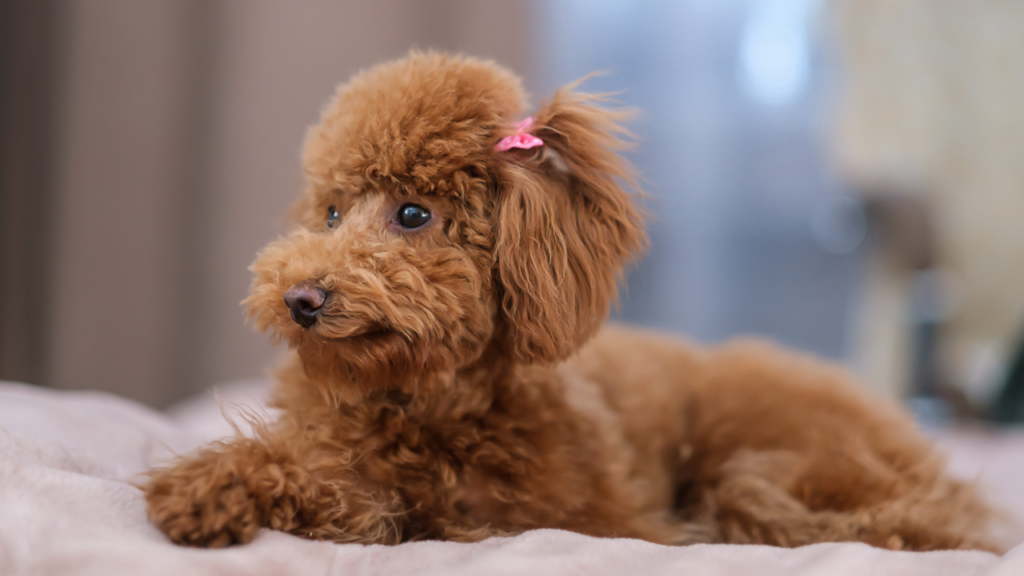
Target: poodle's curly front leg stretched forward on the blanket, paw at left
225 495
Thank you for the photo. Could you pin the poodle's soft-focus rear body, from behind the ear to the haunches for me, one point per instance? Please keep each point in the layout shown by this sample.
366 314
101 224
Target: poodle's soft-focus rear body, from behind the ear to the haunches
765 445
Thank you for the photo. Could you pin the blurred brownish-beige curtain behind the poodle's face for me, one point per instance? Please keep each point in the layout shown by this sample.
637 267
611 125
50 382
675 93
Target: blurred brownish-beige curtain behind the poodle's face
178 152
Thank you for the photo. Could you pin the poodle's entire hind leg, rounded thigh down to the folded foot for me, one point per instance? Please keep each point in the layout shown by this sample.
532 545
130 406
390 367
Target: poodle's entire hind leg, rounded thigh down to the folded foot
786 450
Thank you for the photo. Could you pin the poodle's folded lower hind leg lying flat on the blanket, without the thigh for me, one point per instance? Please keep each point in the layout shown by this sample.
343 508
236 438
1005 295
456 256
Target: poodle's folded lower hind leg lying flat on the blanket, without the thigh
770 498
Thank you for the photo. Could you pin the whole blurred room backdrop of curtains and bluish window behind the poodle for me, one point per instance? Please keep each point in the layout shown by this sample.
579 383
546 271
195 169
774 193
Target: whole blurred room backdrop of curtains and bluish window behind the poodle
846 177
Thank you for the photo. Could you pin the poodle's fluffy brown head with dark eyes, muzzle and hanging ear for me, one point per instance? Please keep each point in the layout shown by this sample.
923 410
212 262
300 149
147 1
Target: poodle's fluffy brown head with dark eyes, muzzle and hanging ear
420 245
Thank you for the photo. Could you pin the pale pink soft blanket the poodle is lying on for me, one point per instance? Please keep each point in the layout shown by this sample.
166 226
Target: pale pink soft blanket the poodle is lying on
68 507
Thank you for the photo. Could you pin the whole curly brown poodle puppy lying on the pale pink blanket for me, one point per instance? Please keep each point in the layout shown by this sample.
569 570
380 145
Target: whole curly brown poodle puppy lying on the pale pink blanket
443 299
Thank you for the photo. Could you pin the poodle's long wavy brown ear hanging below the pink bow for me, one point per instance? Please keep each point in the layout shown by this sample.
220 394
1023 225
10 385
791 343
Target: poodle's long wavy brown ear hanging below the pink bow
566 227
